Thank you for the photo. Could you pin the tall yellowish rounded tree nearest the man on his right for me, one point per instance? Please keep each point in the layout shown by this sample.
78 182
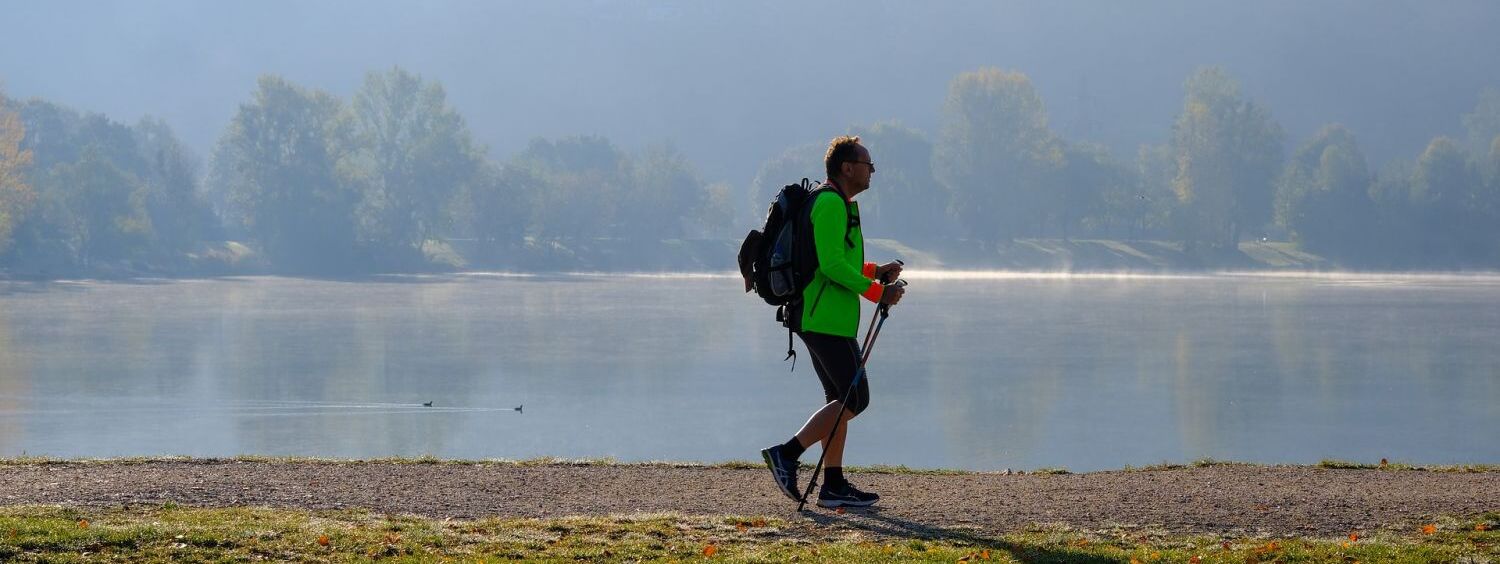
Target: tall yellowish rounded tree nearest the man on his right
997 155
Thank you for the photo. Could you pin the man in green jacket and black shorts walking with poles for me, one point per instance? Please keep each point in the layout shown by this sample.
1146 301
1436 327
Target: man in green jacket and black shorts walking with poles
829 319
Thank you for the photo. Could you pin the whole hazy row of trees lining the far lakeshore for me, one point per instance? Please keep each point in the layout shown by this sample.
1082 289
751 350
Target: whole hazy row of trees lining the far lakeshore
392 181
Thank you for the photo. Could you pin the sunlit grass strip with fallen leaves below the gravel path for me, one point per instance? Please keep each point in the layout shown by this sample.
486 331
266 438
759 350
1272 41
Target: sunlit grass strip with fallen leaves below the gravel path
173 533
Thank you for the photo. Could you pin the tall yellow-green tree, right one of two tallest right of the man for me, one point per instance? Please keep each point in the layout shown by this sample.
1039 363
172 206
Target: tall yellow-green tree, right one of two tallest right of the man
1228 152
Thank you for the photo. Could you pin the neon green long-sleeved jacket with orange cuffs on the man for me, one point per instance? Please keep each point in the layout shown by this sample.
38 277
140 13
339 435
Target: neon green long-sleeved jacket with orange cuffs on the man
832 301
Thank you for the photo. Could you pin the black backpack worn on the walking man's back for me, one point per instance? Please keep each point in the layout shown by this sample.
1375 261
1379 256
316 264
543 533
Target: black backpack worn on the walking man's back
779 260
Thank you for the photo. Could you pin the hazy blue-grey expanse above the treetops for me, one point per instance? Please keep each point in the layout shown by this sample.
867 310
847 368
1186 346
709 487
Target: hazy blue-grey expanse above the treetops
734 83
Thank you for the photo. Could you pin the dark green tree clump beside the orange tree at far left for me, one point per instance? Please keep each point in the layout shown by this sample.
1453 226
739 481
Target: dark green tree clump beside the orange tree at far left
107 194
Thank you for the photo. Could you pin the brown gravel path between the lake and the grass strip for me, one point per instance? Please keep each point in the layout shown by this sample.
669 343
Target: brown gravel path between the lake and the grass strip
1226 500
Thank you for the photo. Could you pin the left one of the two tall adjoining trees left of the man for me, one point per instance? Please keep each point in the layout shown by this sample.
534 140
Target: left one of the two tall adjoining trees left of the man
278 163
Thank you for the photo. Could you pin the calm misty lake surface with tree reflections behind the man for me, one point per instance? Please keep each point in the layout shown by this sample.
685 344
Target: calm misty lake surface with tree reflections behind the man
977 371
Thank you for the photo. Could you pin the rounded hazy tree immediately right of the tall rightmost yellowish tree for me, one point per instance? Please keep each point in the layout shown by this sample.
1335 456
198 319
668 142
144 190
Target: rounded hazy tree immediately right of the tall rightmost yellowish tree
1324 196
